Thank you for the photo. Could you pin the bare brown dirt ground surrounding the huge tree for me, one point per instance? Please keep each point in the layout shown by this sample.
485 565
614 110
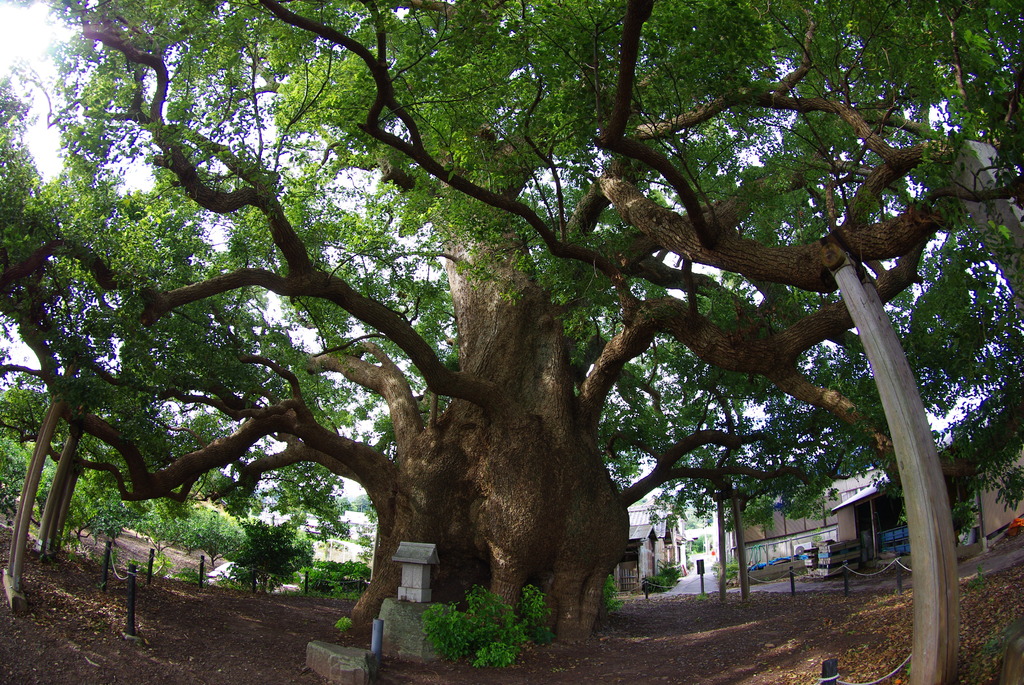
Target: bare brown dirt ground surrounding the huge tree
73 633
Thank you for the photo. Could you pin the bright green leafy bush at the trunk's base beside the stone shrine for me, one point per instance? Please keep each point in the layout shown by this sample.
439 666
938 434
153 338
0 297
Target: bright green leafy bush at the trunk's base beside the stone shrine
490 632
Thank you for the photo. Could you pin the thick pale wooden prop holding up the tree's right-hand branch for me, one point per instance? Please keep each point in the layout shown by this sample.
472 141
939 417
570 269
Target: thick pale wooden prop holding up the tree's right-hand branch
936 595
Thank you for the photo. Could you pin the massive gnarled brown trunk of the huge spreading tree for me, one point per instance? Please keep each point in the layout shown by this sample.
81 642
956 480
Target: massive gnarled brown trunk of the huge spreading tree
511 497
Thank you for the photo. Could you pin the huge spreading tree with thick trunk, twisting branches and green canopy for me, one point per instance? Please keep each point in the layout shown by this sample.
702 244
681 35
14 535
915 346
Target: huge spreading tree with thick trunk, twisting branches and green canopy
459 253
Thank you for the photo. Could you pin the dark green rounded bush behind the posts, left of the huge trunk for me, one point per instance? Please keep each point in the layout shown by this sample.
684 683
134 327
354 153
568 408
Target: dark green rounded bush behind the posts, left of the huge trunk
273 552
